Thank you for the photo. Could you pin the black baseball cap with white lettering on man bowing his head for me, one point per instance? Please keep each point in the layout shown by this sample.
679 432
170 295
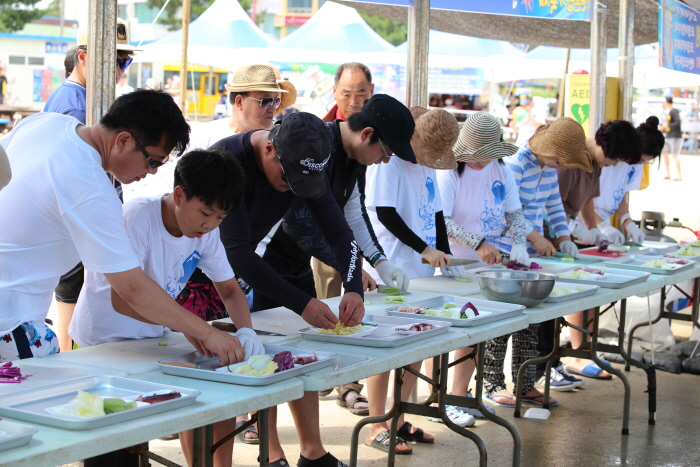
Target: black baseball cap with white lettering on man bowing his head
303 145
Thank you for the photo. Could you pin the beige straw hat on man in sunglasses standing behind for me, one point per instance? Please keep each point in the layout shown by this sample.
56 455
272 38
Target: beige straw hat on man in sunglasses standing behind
264 78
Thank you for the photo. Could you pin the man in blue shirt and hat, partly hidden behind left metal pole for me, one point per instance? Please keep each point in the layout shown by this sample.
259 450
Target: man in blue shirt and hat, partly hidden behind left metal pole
70 99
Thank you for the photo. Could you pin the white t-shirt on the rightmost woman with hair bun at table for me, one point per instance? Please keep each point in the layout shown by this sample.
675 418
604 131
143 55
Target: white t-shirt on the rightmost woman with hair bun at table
615 181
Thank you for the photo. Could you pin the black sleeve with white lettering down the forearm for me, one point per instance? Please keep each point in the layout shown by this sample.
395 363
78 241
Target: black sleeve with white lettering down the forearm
330 219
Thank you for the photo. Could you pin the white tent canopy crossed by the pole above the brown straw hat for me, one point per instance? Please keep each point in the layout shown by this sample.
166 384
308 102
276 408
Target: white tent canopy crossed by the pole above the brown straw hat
443 43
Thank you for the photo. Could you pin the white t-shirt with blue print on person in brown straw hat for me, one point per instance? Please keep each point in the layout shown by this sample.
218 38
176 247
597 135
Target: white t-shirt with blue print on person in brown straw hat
412 190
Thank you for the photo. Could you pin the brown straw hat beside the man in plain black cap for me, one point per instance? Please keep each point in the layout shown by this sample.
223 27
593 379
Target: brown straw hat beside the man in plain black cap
435 134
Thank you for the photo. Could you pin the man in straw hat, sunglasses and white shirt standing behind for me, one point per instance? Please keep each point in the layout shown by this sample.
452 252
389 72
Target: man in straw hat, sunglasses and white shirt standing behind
256 94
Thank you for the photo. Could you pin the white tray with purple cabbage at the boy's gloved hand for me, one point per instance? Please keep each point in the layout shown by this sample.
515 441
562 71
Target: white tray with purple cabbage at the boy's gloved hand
206 367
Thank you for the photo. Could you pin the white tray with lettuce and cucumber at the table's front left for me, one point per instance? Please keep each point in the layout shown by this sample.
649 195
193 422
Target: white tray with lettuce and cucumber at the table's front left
31 406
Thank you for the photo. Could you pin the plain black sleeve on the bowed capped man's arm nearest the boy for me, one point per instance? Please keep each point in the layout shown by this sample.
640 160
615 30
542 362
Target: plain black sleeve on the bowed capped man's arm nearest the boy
235 235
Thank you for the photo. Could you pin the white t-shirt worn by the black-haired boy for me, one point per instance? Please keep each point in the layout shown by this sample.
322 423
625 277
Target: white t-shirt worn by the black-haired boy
168 260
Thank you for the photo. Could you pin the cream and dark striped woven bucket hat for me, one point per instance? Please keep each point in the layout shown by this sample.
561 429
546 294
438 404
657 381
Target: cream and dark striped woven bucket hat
481 139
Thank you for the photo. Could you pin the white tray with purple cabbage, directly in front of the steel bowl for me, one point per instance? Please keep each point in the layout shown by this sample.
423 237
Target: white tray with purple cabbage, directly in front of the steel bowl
488 310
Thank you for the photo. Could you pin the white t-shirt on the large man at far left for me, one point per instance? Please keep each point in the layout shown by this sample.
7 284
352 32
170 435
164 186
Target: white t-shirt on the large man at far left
60 209
